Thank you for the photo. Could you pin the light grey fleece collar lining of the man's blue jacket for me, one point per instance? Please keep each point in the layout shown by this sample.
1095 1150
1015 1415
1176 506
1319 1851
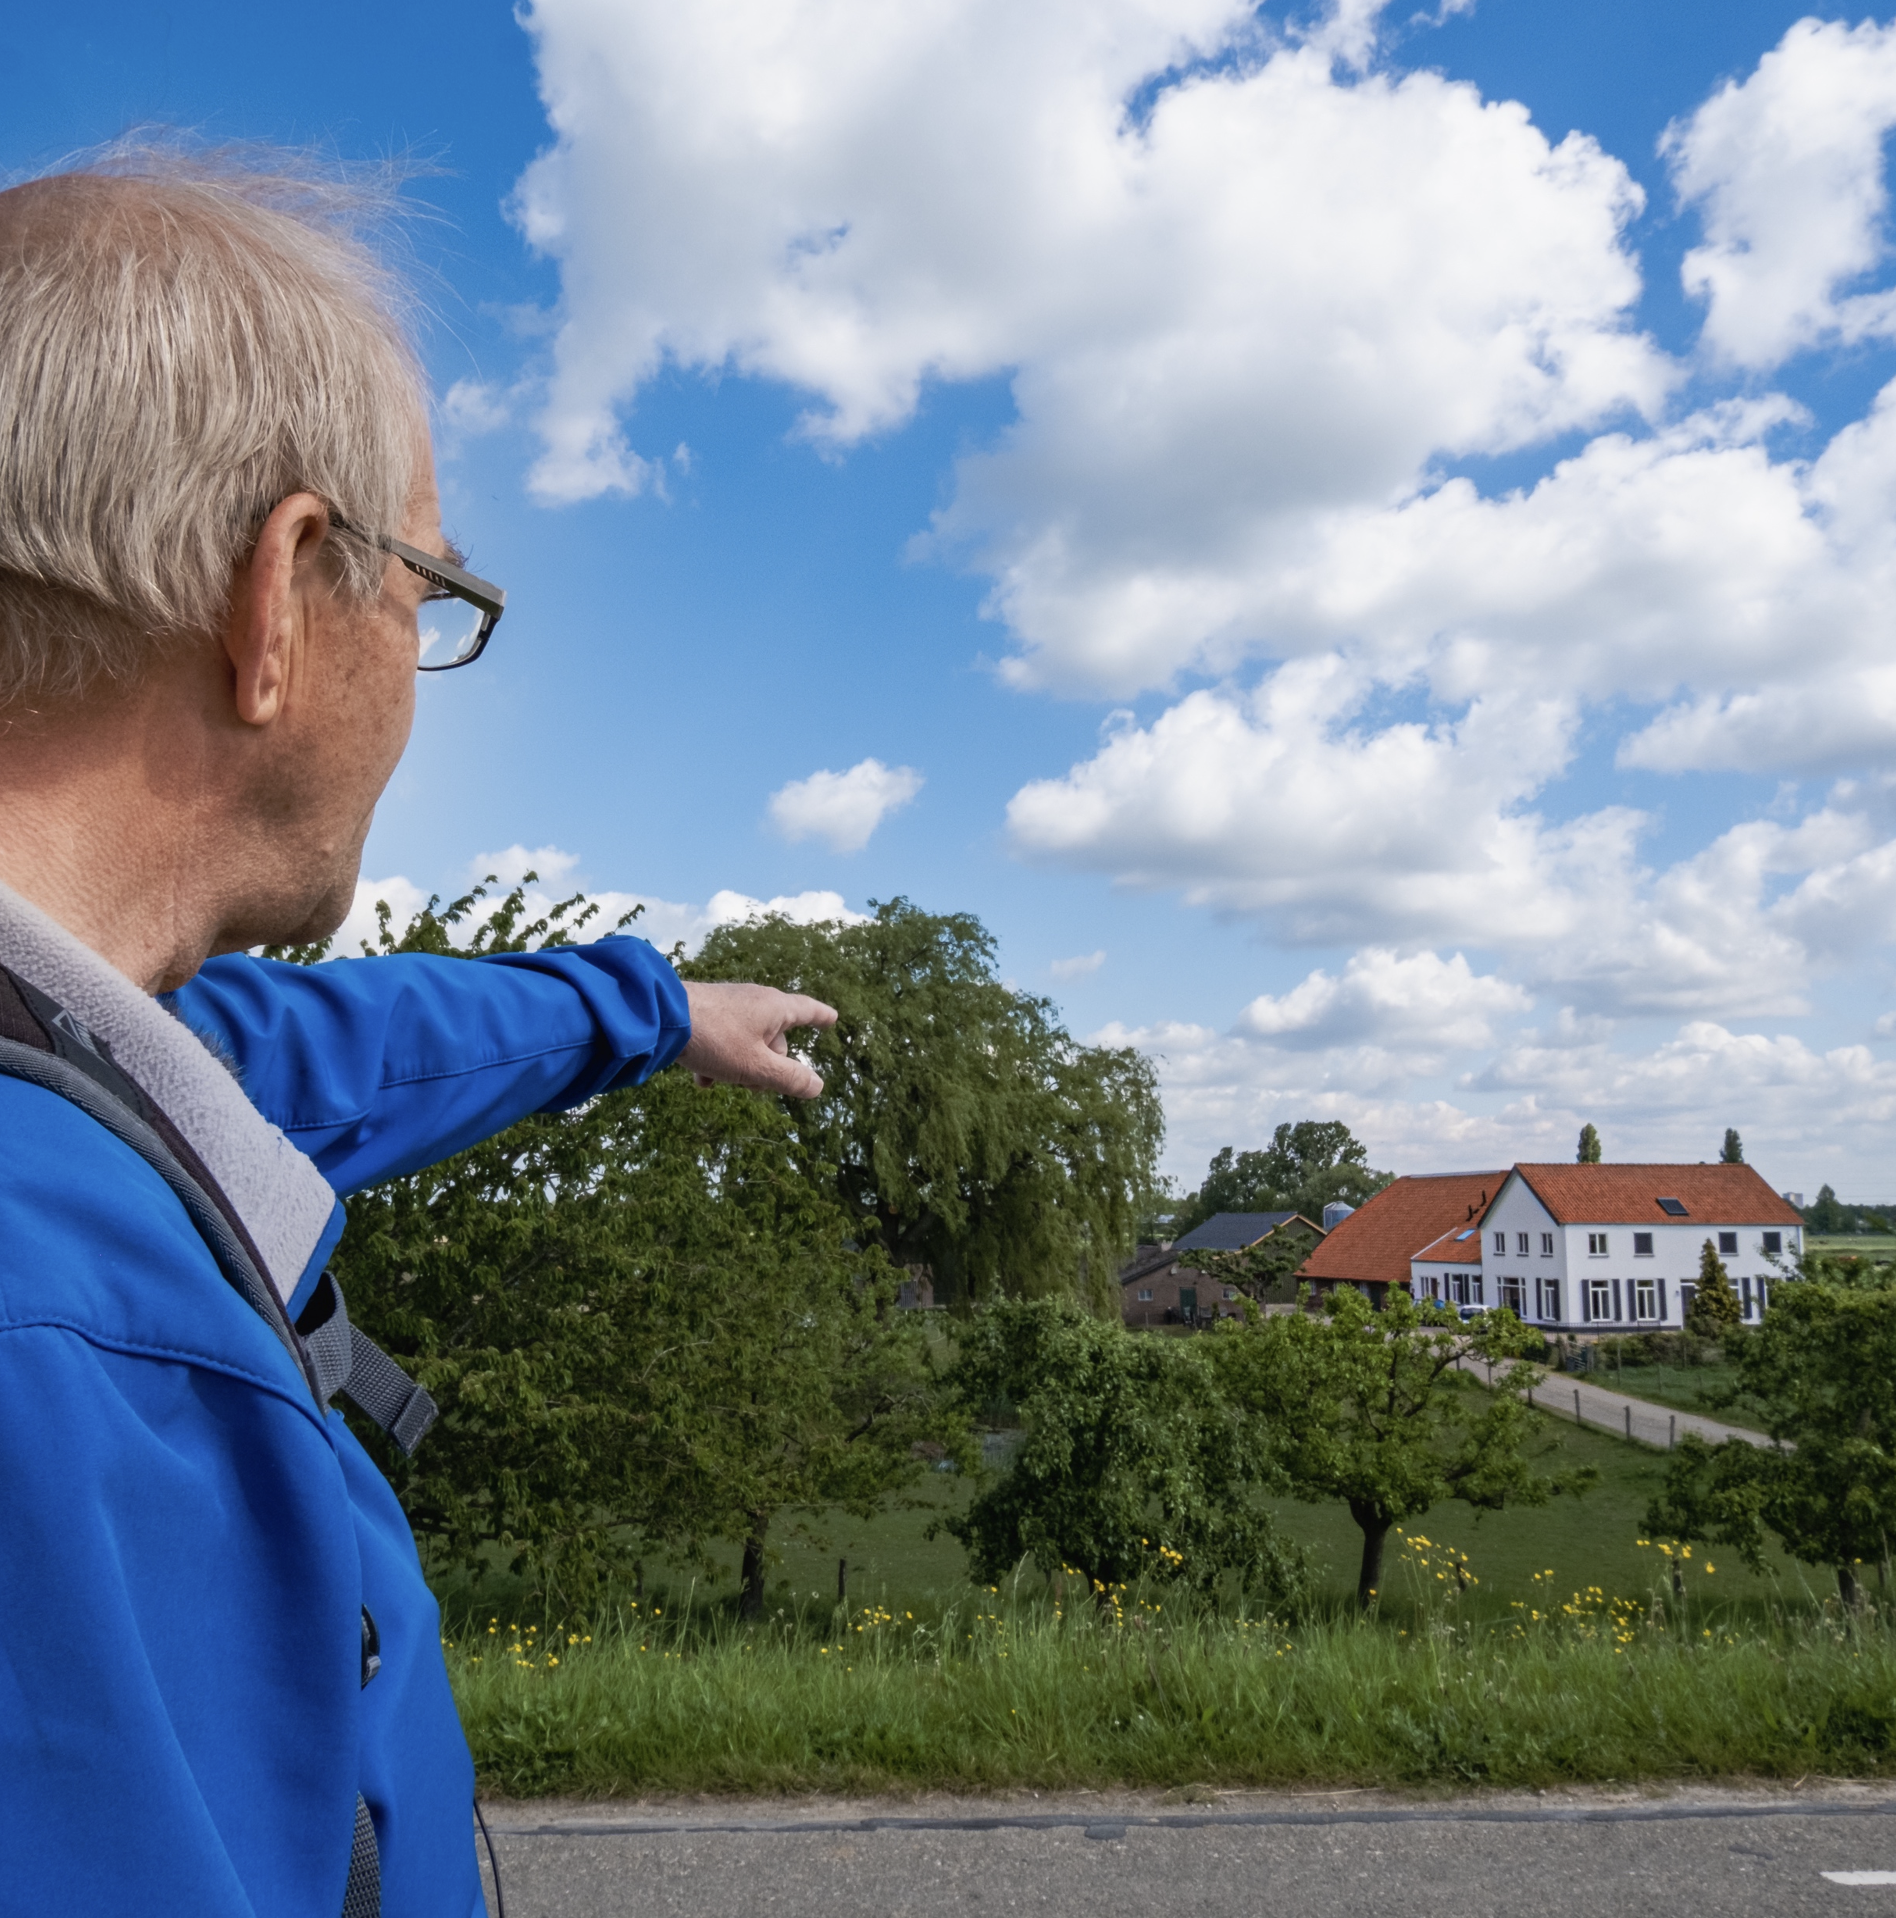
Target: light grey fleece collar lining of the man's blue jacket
283 1200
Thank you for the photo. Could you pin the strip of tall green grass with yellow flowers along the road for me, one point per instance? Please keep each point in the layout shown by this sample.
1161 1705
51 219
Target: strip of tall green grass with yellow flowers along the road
1128 1691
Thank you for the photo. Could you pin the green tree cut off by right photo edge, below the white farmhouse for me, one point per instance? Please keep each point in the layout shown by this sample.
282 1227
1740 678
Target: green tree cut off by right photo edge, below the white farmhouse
1820 1374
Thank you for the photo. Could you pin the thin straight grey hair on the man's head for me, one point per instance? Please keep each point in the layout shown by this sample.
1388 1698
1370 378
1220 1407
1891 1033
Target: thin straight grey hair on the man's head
185 340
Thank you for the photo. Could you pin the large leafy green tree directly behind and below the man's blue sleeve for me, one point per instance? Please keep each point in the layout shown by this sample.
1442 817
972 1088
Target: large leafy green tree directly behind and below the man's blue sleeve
641 1321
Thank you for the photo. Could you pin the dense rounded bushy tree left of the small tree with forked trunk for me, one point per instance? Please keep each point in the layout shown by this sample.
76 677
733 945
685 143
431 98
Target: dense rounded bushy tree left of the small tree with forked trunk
1130 1464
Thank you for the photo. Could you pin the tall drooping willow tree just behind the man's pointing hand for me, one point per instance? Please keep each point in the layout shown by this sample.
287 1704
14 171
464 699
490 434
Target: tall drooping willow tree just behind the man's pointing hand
963 1129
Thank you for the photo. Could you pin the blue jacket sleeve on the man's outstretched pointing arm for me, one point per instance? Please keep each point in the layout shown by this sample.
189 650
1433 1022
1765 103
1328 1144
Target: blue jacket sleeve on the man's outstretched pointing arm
377 1067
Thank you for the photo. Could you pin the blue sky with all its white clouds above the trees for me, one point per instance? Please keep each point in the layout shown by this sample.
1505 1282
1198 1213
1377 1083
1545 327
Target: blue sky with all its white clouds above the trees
1408 594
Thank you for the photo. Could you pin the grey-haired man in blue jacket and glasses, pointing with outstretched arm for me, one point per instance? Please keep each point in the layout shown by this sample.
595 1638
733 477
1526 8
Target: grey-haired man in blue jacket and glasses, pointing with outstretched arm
221 559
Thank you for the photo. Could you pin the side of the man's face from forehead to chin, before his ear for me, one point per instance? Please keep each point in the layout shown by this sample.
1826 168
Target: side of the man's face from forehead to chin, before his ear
346 722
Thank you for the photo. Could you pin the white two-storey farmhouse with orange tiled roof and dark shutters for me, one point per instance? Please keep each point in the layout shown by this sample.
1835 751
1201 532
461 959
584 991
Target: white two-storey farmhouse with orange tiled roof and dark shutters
1617 1248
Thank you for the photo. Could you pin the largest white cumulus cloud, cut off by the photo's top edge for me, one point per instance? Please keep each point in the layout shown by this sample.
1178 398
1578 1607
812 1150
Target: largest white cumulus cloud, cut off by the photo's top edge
1280 296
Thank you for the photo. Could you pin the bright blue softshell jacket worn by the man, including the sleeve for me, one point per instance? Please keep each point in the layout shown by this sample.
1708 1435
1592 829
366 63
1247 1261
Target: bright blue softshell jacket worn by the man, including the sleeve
185 1541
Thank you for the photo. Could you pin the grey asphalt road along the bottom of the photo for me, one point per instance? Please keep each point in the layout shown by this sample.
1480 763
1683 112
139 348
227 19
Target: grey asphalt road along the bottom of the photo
1236 1854
